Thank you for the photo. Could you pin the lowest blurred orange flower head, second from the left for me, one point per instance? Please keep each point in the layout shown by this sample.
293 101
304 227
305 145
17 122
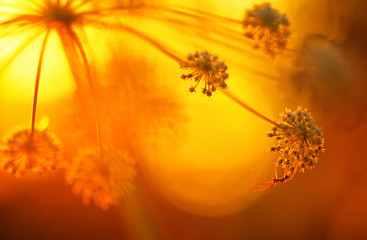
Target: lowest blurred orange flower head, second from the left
105 179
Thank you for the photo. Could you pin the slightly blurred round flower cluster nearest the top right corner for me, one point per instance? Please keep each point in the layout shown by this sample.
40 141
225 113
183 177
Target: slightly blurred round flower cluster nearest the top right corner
268 27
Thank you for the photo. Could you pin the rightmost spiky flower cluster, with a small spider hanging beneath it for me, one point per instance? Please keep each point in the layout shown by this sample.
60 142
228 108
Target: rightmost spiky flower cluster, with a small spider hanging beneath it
299 140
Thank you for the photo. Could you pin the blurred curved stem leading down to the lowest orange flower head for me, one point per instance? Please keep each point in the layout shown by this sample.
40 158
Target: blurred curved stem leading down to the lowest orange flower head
79 45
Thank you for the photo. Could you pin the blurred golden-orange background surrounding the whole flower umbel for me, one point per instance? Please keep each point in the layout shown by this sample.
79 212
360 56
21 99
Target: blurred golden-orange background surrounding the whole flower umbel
194 151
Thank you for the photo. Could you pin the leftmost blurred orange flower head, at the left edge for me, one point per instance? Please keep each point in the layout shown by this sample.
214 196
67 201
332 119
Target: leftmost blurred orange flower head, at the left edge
24 152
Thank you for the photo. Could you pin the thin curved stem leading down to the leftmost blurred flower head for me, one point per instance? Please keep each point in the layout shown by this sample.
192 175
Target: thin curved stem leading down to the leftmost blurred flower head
36 87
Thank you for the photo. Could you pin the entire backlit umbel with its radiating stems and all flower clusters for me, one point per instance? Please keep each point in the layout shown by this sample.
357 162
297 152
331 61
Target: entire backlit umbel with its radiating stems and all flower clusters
104 175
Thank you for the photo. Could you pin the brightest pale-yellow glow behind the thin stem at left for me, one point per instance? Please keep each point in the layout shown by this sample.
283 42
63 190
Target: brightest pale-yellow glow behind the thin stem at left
18 80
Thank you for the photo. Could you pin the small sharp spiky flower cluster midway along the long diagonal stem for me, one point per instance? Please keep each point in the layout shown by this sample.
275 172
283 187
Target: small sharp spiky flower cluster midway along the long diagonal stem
205 66
